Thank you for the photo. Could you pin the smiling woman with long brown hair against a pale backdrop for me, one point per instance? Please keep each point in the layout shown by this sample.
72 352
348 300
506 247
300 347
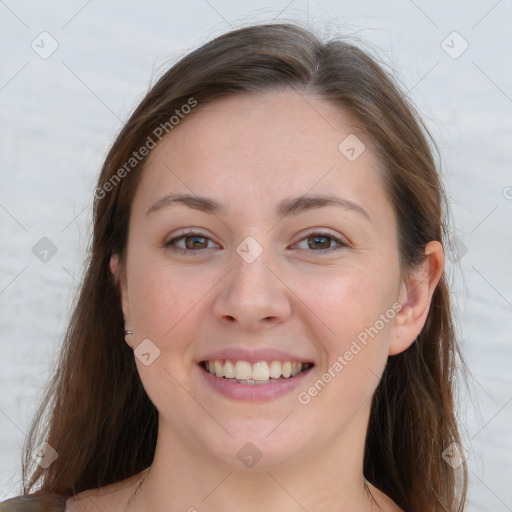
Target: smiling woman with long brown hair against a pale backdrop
264 323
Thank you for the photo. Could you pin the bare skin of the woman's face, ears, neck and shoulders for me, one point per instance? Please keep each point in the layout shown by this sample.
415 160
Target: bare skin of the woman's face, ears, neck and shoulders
250 153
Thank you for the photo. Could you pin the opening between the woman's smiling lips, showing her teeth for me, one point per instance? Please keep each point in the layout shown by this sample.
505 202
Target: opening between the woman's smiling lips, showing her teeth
261 372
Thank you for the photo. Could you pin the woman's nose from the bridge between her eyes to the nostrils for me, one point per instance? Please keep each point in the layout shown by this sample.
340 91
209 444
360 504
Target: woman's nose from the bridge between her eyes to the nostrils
252 294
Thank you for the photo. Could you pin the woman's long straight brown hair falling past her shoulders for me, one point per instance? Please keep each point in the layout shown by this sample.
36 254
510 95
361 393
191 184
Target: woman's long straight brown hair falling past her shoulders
96 414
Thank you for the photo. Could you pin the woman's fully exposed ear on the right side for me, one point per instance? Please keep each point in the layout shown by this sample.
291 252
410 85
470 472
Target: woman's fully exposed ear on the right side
415 297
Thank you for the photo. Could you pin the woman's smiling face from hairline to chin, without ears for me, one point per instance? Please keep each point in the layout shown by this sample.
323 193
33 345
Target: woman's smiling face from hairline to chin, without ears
269 276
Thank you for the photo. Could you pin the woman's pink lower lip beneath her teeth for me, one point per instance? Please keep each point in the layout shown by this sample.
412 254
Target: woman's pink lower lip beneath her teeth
274 389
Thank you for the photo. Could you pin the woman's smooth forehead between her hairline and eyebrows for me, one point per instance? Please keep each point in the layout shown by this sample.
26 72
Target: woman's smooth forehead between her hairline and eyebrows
259 149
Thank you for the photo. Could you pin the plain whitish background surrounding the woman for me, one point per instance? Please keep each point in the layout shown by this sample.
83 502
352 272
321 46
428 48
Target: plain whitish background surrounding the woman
59 115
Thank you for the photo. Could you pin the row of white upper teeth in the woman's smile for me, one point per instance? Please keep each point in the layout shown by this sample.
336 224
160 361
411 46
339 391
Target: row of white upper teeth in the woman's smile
243 370
